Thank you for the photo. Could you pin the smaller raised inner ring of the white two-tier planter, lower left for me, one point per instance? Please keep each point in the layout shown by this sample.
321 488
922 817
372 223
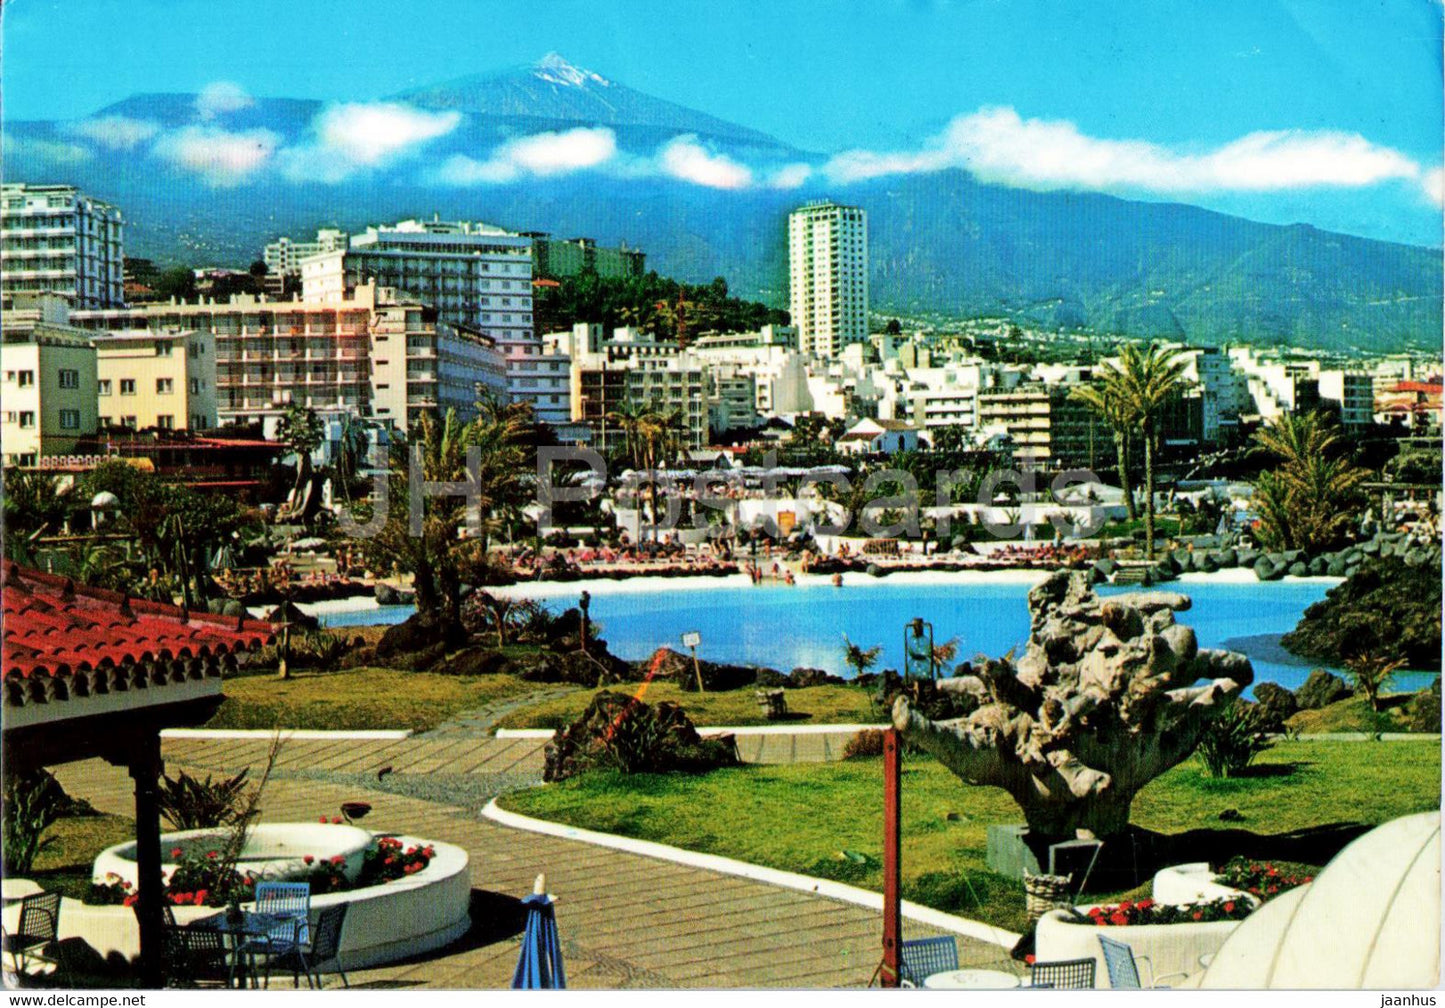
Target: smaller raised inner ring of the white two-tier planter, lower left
272 851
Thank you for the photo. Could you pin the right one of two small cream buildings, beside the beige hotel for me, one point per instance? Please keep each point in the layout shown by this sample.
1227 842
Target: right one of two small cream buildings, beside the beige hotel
155 379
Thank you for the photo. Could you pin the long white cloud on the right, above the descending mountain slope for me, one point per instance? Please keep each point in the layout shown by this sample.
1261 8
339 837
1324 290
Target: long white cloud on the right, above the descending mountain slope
1001 147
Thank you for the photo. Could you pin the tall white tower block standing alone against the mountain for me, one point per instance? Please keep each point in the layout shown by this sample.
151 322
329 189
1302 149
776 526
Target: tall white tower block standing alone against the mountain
829 277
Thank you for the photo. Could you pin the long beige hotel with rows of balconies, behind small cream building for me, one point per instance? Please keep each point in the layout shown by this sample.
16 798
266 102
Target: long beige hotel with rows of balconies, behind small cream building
372 353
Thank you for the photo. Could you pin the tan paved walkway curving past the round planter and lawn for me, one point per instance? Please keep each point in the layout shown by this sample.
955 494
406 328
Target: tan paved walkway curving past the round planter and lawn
626 921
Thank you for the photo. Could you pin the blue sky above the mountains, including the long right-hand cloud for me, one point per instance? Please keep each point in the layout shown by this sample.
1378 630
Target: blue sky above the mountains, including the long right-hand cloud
1326 112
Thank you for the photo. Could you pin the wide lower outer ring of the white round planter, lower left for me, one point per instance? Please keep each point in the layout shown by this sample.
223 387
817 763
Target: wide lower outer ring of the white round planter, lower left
388 922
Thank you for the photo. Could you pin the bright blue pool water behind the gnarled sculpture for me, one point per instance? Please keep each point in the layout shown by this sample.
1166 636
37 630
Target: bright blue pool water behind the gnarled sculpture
785 627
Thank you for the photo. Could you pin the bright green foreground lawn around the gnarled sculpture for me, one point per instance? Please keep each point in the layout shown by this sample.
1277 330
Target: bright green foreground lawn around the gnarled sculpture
827 820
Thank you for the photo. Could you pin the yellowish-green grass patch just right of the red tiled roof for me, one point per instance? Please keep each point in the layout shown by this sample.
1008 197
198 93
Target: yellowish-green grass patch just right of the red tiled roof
359 700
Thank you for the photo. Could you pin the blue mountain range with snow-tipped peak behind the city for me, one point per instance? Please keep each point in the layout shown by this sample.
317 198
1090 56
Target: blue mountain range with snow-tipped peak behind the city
704 199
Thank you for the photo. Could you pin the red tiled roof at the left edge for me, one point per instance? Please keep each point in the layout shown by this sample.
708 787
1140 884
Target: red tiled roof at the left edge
56 627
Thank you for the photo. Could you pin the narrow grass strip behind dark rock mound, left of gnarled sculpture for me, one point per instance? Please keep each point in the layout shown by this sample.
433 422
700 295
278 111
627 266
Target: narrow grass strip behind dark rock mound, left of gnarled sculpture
819 705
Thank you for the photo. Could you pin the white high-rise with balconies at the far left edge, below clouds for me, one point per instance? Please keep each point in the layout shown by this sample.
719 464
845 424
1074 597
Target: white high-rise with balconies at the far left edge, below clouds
54 239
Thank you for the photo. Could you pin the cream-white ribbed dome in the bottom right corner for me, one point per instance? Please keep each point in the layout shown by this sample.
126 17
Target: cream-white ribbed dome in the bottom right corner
1372 919
